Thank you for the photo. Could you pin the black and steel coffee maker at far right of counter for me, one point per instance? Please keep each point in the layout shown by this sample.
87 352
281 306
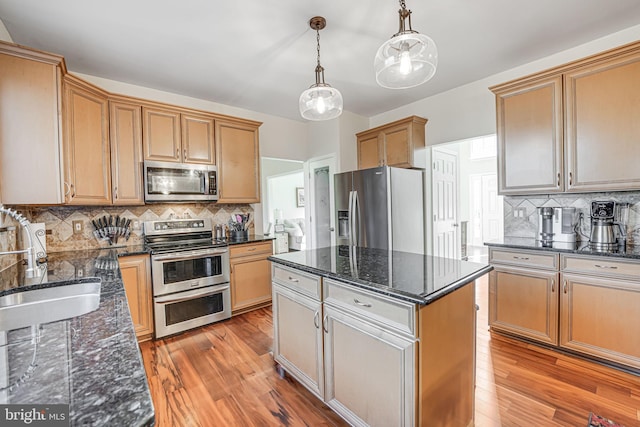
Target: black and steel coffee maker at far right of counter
606 216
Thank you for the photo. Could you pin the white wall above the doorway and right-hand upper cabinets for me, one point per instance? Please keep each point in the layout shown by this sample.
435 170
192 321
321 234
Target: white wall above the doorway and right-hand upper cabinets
469 111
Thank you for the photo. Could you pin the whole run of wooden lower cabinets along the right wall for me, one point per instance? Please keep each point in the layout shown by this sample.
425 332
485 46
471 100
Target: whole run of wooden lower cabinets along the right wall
586 304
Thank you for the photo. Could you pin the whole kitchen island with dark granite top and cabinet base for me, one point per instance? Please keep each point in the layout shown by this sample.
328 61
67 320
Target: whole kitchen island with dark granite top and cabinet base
383 337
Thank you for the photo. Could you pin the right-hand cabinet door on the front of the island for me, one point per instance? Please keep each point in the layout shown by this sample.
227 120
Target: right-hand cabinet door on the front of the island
369 372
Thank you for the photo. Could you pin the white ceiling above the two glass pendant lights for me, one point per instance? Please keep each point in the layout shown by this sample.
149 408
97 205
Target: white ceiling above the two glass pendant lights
260 54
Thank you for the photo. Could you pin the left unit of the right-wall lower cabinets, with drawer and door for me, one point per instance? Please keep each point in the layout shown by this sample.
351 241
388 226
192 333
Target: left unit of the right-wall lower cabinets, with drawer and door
523 294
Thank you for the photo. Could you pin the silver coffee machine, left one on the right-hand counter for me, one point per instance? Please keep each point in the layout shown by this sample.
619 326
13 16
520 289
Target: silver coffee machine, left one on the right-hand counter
556 225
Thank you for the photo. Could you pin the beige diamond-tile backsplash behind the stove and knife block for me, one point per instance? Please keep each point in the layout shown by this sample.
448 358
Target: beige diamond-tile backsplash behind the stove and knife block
59 221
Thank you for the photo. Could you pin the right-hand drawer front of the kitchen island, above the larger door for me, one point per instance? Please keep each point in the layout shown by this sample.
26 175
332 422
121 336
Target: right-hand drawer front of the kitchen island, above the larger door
395 314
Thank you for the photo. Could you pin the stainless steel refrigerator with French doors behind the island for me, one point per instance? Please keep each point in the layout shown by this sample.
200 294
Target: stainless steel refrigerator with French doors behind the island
381 208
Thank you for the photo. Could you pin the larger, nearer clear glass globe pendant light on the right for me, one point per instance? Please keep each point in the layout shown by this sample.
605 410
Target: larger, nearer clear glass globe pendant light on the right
406 60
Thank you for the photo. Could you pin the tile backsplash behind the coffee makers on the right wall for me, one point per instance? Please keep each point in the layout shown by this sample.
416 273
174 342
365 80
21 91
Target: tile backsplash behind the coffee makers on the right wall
526 225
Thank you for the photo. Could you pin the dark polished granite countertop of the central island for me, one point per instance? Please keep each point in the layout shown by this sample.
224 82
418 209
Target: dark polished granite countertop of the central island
420 279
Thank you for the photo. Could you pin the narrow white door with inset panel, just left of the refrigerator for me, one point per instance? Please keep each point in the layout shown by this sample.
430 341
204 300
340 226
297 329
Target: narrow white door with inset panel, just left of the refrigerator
320 211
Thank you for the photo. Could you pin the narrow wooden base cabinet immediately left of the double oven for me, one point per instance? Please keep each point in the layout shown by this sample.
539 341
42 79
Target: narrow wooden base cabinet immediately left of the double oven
136 276
